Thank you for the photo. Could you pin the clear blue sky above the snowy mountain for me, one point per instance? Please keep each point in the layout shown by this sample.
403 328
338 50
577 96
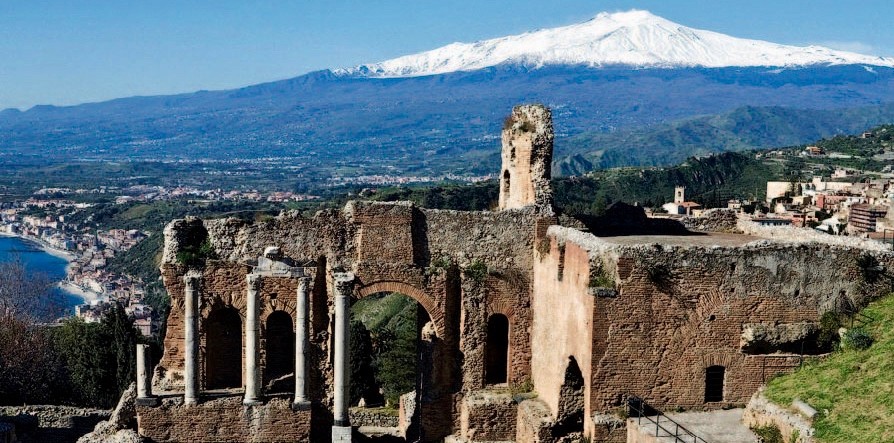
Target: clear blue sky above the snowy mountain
65 52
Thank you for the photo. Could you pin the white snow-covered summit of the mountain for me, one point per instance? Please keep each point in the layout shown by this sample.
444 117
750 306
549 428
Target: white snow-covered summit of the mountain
635 38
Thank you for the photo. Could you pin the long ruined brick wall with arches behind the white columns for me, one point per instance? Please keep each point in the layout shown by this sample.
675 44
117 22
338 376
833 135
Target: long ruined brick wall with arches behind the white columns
393 247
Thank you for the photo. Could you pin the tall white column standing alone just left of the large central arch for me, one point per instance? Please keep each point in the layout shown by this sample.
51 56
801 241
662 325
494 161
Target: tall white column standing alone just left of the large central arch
341 429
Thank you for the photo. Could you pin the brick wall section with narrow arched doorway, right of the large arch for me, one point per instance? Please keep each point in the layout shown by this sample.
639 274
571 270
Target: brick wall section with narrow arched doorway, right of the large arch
503 243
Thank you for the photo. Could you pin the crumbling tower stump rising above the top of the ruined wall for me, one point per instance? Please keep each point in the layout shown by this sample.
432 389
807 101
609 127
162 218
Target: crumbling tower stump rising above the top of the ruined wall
527 159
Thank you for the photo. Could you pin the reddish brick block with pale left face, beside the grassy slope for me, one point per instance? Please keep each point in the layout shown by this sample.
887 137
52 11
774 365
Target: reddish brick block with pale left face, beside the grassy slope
681 309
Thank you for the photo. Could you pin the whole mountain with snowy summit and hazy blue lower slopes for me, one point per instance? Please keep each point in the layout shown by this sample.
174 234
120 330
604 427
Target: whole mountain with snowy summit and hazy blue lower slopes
441 111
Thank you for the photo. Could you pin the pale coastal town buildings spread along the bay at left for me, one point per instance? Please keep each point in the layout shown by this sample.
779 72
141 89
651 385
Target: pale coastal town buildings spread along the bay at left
49 219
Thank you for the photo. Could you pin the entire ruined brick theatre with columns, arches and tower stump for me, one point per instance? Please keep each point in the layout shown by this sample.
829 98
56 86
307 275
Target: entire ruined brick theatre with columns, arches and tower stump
256 348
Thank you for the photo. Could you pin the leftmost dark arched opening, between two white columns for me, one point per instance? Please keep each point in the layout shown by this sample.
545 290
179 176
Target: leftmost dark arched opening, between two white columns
223 349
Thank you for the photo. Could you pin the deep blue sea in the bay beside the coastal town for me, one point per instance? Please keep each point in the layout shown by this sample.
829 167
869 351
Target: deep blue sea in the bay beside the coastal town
36 259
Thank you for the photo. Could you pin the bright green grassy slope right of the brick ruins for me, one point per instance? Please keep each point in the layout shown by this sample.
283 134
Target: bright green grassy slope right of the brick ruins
853 390
